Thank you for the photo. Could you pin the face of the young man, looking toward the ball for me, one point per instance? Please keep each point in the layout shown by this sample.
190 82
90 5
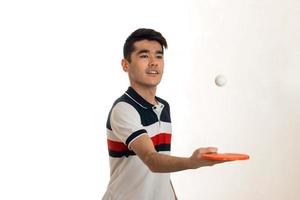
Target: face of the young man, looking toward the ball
147 64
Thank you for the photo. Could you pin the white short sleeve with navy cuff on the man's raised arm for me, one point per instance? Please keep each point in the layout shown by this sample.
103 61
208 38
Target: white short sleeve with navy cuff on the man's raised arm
126 123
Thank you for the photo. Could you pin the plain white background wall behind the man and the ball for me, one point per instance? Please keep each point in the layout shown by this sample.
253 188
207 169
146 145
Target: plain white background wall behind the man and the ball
60 73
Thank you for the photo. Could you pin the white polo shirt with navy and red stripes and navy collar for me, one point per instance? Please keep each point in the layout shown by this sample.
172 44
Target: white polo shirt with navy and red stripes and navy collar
130 179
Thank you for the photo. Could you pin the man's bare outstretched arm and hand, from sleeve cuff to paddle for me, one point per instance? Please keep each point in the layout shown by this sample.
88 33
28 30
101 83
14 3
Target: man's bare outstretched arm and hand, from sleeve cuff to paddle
162 163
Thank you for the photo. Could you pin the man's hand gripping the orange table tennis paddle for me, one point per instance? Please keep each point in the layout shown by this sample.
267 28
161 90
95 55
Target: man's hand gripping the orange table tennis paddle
197 160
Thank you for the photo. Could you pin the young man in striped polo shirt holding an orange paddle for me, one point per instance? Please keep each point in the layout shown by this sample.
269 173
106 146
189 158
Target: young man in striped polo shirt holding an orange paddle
139 128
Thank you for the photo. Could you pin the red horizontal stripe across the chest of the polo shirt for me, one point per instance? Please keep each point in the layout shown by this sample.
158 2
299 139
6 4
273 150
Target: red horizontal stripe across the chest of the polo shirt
162 138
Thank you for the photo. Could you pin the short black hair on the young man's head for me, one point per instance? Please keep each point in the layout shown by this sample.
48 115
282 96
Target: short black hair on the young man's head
142 34
